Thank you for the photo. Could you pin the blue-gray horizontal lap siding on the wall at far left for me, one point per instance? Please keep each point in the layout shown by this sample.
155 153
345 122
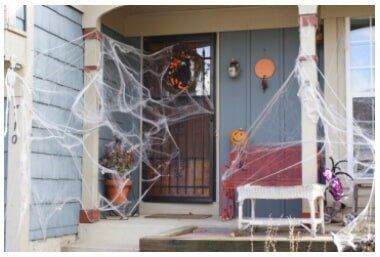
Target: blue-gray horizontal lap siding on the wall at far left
55 170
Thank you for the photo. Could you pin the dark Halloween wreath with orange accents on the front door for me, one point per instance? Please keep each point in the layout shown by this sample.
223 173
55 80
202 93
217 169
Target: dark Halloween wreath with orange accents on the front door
183 71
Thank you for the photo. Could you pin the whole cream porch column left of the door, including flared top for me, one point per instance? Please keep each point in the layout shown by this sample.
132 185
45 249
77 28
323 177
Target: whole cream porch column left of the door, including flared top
90 194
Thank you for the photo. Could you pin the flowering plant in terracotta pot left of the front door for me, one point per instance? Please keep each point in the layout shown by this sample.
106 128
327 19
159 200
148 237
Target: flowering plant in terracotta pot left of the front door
118 183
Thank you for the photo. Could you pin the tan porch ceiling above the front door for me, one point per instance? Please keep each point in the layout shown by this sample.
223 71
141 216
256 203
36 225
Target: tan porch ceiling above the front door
166 20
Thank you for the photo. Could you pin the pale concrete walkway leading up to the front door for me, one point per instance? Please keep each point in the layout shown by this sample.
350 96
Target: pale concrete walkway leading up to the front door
124 235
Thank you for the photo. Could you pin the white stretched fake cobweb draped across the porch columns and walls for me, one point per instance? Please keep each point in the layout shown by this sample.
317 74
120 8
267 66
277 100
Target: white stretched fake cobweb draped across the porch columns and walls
128 89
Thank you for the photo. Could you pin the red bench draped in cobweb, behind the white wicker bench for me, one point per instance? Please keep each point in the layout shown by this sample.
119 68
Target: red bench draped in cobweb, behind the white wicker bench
260 165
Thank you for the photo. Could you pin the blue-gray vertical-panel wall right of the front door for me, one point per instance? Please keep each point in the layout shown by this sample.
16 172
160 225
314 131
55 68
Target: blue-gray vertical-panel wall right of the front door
242 99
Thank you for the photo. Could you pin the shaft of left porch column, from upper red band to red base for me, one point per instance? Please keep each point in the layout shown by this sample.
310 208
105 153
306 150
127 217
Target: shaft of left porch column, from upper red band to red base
90 196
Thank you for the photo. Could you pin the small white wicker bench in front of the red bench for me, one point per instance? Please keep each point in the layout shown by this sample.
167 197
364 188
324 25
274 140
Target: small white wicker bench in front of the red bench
311 193
